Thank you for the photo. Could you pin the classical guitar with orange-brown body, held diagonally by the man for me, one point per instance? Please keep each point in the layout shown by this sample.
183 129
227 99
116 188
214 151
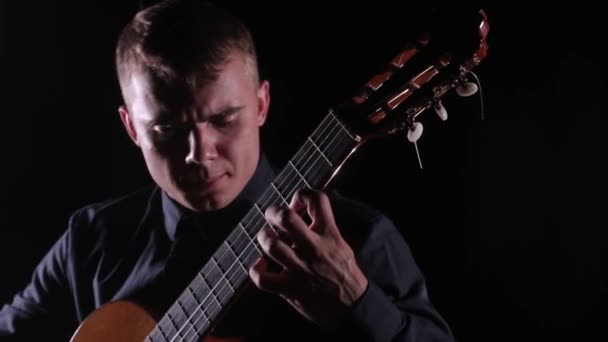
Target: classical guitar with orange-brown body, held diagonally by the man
393 101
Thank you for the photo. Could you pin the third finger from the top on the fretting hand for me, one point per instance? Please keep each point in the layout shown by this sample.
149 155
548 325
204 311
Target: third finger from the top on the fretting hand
279 251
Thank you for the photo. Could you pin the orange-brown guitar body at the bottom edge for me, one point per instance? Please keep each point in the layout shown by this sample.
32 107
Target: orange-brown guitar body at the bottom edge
124 321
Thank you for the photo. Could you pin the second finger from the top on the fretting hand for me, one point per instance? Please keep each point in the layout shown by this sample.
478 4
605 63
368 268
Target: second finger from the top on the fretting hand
293 225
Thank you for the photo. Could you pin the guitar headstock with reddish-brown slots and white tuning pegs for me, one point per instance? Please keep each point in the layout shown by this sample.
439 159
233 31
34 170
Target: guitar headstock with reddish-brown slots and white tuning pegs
417 79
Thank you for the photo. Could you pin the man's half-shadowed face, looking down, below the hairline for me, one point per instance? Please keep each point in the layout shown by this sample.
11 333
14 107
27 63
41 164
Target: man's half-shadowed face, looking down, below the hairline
200 145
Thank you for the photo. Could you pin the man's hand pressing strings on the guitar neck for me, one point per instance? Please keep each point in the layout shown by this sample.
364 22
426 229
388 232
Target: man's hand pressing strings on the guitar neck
320 277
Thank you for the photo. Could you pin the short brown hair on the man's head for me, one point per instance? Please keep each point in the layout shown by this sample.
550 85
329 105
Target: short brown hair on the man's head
182 39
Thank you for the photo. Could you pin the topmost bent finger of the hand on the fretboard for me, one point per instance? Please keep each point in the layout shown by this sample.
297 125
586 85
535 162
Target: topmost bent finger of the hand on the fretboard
319 208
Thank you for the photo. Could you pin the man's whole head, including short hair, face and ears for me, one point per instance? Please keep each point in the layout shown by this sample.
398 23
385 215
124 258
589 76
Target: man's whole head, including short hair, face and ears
193 100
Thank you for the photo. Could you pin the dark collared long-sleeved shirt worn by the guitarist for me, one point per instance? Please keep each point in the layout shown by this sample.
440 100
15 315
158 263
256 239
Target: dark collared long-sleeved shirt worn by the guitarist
124 249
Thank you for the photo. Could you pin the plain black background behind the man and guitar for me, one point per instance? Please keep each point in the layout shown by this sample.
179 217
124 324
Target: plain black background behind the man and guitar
505 219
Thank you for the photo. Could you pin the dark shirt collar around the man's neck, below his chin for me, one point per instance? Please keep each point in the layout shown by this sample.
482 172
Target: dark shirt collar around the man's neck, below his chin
173 212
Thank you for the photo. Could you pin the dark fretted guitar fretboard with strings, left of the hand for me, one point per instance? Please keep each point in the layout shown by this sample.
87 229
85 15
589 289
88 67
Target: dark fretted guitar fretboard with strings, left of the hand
214 287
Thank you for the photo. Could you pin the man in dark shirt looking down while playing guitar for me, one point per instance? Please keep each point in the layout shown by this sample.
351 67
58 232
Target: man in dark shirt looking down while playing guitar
194 105
